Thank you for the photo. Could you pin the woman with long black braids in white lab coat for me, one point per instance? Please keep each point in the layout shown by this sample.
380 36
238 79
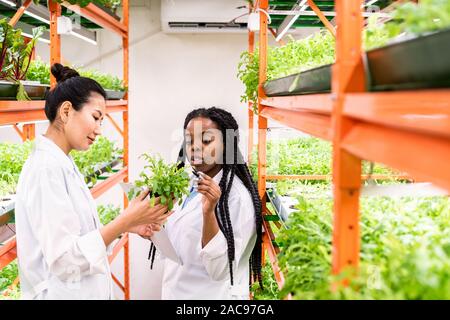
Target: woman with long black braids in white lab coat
217 229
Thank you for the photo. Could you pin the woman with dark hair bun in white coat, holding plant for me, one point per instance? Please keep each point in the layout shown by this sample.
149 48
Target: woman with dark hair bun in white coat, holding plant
61 245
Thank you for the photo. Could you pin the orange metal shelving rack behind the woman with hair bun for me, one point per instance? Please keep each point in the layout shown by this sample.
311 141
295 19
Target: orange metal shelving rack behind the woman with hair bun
15 112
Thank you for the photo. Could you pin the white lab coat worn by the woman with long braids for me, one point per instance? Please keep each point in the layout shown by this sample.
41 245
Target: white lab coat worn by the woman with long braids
205 272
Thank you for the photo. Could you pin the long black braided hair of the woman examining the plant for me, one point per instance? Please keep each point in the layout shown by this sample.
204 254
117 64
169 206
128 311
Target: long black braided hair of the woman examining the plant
236 167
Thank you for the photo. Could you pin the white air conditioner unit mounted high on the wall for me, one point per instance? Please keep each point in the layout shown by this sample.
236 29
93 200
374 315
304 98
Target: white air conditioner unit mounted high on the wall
207 16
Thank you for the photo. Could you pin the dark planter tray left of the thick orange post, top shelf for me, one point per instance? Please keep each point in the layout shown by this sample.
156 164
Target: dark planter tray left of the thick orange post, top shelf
317 80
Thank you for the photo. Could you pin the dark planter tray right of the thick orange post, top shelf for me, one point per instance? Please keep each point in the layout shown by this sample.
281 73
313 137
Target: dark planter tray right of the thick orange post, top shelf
421 62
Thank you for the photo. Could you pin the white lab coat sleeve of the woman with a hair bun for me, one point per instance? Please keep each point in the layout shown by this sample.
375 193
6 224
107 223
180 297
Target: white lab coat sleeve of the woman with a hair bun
68 254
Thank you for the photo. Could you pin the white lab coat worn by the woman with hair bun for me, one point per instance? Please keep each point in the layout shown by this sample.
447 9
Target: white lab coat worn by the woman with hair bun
61 253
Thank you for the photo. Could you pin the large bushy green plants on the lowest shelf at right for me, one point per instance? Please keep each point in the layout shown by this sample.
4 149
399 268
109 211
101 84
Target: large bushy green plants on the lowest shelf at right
405 250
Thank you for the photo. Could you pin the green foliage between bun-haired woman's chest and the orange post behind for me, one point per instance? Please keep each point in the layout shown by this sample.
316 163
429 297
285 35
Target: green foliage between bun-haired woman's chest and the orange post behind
101 152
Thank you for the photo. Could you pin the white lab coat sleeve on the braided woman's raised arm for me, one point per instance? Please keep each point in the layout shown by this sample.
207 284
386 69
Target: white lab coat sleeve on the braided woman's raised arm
214 255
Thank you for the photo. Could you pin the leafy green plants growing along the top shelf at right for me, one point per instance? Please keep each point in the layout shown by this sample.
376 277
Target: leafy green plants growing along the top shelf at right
317 50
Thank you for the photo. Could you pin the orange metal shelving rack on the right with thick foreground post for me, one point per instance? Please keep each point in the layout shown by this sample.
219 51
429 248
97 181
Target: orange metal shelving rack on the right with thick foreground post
406 130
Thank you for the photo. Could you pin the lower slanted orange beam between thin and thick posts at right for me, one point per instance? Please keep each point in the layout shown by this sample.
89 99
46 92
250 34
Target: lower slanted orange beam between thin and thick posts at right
311 123
